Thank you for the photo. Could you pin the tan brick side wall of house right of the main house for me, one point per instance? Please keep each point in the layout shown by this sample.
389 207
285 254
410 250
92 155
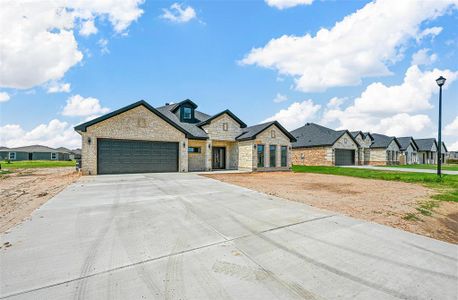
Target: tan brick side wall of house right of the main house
314 156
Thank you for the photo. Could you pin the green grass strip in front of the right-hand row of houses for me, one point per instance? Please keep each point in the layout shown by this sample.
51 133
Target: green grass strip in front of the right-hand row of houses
447 185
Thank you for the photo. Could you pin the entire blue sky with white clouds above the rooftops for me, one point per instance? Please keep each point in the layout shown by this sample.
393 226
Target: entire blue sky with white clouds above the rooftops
352 75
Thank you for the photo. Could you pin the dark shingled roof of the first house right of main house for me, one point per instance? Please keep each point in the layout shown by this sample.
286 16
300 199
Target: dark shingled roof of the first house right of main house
314 135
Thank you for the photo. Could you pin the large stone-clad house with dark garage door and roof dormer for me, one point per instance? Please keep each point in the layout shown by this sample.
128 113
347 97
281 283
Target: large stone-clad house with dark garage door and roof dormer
178 138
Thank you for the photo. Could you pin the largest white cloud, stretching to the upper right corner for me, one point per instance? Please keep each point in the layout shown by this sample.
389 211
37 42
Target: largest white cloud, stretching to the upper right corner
361 45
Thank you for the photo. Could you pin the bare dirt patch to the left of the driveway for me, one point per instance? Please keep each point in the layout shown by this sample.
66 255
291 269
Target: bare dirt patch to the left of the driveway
25 190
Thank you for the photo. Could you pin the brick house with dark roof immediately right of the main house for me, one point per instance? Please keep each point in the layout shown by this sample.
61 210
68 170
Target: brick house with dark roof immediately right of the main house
317 145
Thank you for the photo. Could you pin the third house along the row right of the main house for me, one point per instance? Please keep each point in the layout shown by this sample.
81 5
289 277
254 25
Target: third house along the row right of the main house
385 150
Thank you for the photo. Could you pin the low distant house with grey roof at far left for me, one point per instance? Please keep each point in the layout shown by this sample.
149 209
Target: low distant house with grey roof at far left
34 152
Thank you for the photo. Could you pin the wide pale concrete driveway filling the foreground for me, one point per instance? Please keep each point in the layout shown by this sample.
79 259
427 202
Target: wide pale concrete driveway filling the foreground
182 236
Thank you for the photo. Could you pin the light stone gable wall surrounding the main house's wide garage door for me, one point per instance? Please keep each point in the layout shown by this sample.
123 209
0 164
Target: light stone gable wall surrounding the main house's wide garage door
138 123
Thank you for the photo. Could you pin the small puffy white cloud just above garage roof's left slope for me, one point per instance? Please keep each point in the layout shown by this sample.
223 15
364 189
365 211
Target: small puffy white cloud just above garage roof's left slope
78 106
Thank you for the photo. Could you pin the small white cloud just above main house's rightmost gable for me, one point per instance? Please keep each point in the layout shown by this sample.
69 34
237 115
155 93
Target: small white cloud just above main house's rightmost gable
296 115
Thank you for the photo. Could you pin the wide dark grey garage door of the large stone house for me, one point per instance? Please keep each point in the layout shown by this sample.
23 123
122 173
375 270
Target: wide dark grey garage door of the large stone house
125 156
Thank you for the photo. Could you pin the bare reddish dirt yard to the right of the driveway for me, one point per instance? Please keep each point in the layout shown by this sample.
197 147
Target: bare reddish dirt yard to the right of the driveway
384 202
